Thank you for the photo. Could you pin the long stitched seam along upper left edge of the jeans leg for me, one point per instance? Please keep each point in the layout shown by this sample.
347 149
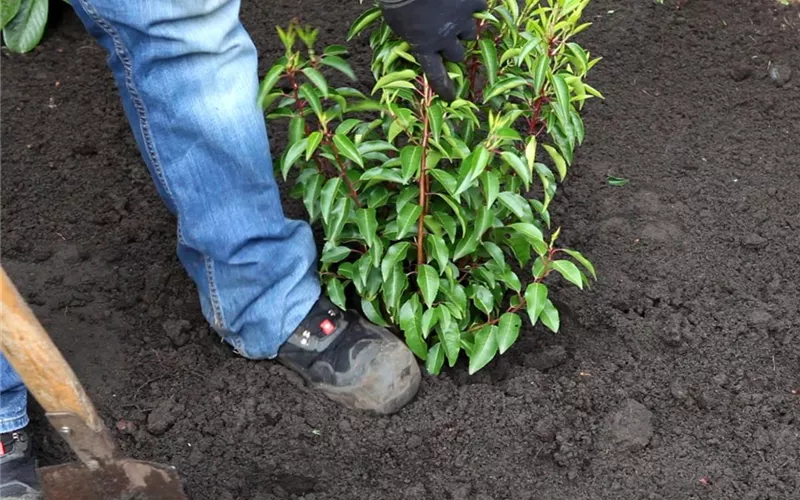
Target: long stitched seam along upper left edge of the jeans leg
141 111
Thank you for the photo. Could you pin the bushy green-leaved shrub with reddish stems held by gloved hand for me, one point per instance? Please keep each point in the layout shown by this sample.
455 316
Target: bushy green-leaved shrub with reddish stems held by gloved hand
436 214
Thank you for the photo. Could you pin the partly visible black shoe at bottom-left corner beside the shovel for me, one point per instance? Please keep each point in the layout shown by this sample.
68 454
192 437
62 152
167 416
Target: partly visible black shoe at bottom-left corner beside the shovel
18 479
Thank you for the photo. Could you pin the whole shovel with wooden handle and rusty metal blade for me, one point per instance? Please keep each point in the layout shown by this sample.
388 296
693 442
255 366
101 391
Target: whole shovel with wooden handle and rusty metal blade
101 474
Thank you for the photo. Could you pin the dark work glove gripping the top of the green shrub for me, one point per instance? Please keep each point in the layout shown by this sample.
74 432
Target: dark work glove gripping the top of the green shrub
433 28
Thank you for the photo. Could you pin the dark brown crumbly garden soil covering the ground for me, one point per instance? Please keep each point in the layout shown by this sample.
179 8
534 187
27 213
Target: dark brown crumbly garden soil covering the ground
675 377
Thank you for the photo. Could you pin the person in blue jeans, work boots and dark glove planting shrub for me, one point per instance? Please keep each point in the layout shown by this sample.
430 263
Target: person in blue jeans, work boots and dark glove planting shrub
187 75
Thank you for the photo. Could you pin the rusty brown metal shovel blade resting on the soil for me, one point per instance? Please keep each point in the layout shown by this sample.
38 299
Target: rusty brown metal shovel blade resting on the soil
118 479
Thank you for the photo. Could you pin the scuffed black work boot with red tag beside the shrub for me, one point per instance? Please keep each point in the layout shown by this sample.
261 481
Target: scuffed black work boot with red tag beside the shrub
353 362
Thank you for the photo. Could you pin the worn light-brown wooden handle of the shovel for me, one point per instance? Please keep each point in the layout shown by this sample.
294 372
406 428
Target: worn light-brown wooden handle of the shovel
37 360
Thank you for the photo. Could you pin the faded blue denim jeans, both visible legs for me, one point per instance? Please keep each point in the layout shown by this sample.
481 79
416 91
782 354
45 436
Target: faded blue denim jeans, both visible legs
187 74
